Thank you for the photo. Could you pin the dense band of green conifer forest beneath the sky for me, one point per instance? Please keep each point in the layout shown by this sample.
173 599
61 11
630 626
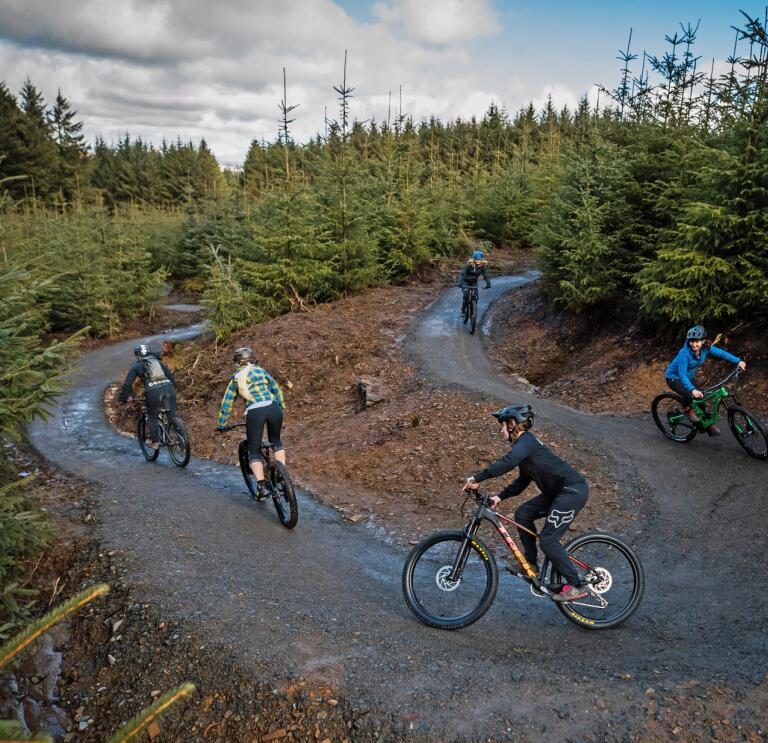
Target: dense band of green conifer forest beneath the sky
655 198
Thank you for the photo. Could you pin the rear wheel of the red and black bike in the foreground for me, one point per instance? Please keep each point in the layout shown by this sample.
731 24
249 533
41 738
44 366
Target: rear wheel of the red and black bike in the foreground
615 576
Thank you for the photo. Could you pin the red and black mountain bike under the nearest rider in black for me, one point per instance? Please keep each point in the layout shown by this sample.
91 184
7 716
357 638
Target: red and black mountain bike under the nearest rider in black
450 578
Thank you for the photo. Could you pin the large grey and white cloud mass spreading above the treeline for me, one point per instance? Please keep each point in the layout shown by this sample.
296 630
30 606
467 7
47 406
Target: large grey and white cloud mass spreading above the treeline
196 69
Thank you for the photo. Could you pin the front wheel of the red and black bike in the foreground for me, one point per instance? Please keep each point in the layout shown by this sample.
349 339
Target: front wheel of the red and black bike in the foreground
433 597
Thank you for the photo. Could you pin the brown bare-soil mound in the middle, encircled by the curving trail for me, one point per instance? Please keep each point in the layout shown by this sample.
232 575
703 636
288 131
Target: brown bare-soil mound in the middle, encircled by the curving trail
398 464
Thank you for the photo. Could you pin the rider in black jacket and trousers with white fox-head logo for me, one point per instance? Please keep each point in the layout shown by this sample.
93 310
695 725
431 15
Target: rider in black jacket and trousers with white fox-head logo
563 494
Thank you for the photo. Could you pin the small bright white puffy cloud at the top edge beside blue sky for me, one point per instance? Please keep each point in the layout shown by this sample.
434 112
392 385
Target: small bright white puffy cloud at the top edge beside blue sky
439 21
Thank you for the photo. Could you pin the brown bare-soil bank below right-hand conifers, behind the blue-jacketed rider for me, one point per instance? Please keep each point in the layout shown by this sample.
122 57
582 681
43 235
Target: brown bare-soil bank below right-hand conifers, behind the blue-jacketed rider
602 365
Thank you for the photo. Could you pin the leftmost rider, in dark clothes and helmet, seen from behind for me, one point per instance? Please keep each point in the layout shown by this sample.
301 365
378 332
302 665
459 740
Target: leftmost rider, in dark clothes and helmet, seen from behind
159 389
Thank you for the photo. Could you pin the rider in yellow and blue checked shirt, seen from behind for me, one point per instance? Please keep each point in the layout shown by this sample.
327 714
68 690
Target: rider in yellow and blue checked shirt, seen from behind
264 405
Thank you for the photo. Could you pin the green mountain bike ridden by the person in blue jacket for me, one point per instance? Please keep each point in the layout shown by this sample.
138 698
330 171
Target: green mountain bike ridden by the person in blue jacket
673 420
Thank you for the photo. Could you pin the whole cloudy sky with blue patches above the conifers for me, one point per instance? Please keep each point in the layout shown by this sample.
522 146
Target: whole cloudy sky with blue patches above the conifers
197 68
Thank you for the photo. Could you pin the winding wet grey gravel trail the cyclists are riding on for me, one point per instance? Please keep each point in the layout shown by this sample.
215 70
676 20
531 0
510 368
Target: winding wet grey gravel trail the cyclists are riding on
324 600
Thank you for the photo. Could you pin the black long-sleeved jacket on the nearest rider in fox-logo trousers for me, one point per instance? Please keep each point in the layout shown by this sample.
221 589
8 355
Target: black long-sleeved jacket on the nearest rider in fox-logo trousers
537 463
